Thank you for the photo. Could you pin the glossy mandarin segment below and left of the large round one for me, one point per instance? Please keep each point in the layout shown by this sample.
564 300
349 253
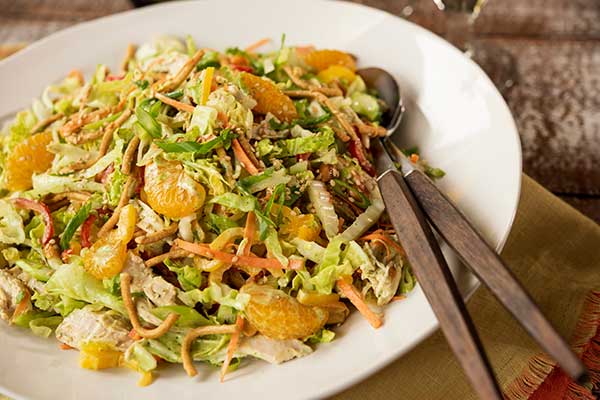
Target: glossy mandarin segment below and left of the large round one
106 257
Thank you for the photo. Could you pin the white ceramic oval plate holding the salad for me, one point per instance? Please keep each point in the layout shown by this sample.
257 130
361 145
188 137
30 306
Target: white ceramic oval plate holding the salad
455 115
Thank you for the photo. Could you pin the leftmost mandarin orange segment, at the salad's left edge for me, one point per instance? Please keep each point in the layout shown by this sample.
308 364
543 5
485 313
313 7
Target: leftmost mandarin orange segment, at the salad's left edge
27 158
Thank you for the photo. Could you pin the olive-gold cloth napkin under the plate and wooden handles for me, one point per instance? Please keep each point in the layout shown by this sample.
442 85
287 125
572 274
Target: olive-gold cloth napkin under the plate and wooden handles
555 252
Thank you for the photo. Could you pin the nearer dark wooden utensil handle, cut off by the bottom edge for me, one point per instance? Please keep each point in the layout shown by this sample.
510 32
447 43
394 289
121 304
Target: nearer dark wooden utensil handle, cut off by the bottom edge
434 277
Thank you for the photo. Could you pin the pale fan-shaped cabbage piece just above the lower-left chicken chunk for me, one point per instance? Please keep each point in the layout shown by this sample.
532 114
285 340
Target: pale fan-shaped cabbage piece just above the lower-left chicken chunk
73 281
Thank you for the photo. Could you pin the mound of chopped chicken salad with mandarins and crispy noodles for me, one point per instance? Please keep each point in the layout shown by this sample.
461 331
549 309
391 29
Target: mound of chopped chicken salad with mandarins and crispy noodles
196 205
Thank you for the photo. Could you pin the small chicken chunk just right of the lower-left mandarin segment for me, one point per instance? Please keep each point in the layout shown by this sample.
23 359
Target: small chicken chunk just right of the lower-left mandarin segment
158 290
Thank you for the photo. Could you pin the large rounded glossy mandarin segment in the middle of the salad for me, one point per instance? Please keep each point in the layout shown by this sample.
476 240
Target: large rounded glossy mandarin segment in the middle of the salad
170 191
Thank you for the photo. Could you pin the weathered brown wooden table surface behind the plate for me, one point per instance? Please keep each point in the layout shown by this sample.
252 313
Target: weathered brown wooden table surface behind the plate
553 44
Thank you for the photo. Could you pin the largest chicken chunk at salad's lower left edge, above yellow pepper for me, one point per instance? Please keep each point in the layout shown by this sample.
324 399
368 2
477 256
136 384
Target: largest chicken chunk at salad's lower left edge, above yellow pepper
83 326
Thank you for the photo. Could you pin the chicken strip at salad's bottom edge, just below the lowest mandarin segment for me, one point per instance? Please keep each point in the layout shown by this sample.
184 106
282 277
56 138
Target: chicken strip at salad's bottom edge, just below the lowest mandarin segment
271 350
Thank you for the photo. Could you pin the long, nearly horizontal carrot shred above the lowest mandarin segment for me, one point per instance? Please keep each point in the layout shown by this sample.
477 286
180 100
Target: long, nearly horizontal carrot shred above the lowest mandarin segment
248 261
